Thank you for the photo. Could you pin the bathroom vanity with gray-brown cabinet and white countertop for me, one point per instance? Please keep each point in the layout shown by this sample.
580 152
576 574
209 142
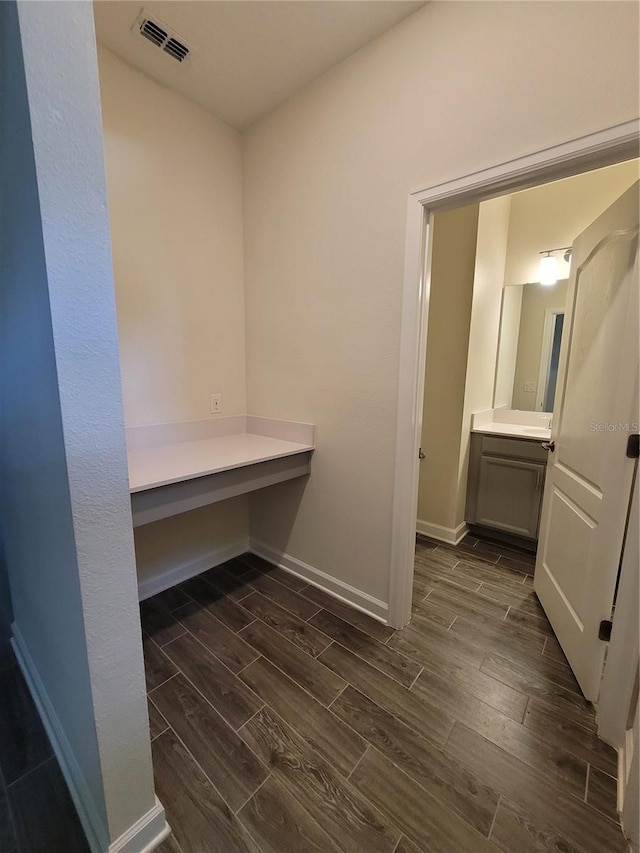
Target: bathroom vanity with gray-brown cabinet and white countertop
507 468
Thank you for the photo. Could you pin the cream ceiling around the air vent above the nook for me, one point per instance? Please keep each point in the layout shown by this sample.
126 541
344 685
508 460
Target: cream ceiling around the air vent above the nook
247 56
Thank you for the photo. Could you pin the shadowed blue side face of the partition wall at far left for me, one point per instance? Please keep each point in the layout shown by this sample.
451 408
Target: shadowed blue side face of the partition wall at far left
37 518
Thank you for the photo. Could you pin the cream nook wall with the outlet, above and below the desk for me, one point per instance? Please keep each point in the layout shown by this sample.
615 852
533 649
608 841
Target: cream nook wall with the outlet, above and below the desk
174 180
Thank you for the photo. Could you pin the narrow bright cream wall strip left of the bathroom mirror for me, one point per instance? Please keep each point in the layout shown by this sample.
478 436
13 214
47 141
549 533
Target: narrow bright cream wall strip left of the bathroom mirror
491 252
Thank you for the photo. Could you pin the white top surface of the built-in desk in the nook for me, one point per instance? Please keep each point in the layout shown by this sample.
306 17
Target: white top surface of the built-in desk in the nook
150 467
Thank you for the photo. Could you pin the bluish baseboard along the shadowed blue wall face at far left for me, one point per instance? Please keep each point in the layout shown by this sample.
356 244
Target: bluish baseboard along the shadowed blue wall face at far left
90 817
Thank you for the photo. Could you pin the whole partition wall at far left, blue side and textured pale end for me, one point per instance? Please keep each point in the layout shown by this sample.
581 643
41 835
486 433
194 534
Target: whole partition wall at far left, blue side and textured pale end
65 505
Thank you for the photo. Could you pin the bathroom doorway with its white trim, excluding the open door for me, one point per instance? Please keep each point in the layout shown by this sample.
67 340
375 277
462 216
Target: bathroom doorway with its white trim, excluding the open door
508 378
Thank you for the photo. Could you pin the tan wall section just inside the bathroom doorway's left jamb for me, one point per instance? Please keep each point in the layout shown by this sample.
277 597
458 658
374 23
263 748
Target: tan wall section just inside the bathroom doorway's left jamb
453 262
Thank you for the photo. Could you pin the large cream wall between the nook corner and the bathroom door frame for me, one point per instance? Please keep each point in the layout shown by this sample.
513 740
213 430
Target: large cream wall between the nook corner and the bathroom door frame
453 89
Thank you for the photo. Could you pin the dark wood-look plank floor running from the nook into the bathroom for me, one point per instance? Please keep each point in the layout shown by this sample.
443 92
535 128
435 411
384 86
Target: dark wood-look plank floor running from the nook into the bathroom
286 722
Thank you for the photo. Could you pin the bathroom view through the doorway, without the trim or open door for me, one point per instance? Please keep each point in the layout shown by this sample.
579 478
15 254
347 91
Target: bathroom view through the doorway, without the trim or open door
494 332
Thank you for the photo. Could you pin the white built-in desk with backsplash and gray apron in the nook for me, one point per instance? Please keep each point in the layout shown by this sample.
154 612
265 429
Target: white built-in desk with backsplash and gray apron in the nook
175 468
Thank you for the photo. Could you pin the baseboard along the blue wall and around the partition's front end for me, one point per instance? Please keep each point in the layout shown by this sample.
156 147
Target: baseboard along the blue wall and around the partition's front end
146 834
